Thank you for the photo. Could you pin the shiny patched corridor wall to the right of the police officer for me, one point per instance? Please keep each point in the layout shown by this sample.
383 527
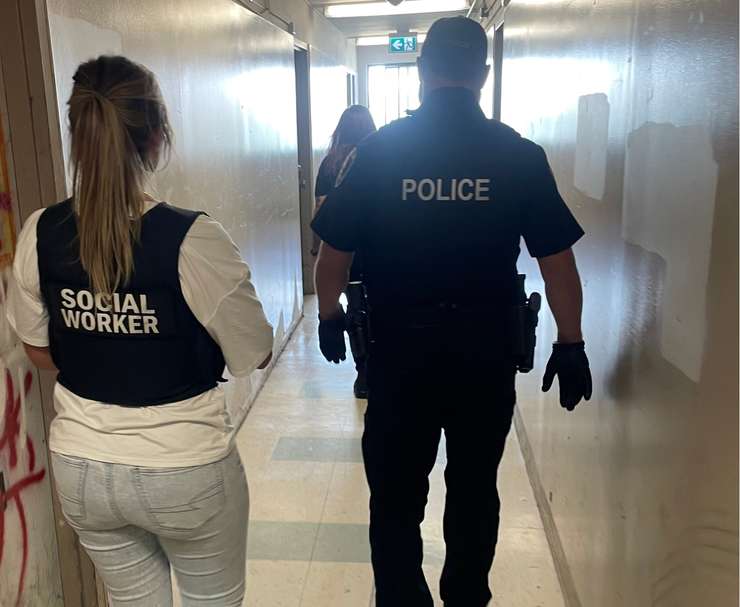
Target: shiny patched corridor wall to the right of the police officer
636 105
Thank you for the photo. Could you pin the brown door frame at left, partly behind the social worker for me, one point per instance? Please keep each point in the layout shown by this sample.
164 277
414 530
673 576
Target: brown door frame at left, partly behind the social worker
39 180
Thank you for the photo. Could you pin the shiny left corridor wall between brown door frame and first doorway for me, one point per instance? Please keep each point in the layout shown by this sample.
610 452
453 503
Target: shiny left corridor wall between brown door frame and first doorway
228 79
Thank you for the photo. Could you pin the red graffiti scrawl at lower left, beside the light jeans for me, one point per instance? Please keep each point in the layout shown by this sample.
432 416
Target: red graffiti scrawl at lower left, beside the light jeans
14 493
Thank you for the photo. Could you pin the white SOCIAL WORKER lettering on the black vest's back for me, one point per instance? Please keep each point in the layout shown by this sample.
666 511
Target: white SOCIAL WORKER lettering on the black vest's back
121 313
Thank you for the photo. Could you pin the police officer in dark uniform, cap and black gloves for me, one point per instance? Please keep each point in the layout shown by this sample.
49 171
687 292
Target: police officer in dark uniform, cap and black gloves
437 204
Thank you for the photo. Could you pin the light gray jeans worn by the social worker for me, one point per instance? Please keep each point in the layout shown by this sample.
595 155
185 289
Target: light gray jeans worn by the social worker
136 523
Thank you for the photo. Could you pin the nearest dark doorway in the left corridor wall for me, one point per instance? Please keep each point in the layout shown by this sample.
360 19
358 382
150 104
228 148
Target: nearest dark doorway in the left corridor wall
305 162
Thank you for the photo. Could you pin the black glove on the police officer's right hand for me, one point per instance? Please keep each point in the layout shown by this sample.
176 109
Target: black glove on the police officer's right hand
570 363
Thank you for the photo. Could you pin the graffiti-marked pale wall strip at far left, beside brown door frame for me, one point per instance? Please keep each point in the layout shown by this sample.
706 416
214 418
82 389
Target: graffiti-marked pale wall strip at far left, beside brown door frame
29 567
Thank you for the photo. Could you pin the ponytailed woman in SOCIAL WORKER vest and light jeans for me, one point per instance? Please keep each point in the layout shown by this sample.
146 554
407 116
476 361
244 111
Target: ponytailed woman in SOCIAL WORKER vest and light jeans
140 306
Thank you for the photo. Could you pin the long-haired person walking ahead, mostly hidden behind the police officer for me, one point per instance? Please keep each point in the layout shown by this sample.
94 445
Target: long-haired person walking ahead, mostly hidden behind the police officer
355 124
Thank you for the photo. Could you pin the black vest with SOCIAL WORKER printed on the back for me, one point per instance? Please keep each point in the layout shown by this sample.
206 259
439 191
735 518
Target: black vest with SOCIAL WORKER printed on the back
141 347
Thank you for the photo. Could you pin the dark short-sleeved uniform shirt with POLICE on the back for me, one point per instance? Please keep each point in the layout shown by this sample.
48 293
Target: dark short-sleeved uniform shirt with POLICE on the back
437 204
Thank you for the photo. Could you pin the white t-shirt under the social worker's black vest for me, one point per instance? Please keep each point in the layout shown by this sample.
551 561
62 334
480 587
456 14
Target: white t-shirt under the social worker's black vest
216 285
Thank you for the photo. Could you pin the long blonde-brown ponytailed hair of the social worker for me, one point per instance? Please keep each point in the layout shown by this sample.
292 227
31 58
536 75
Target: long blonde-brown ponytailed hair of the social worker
119 131
